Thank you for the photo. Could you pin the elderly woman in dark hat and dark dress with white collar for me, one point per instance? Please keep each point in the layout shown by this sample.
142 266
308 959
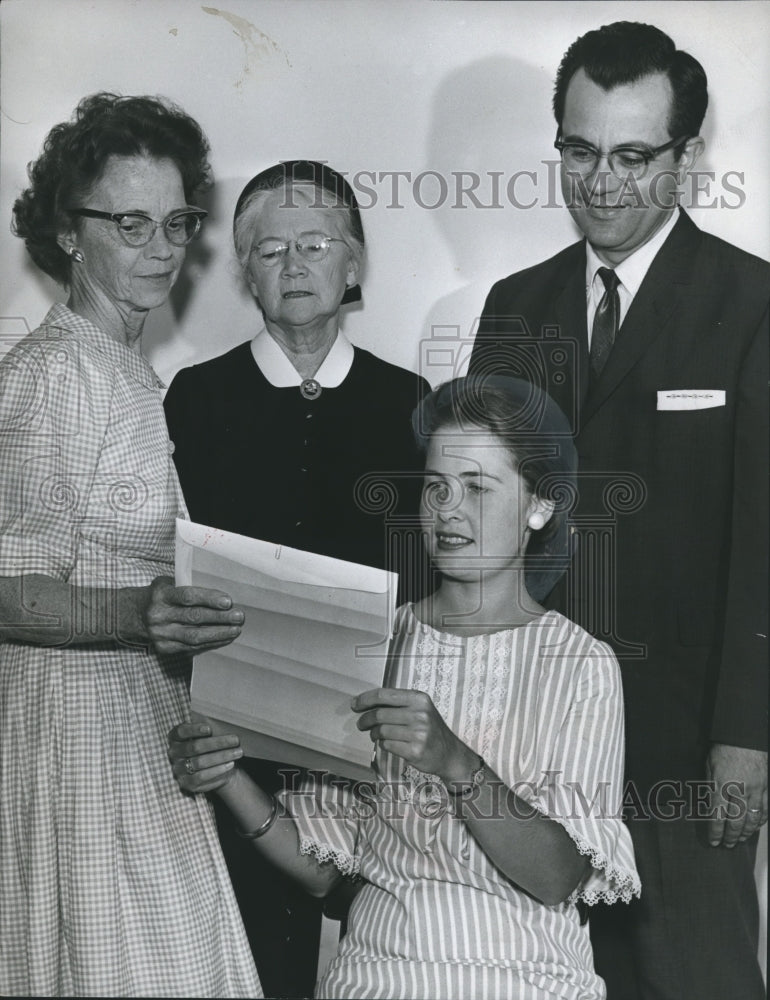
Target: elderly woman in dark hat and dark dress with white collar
279 439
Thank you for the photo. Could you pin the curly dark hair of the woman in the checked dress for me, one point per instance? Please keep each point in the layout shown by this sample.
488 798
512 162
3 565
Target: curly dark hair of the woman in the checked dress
75 154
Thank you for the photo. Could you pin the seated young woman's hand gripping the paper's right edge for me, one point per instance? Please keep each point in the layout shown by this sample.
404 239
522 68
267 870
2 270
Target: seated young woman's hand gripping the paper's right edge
408 724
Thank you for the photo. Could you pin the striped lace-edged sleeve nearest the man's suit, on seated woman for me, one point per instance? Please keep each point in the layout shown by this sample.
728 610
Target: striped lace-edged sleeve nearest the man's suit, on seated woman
583 785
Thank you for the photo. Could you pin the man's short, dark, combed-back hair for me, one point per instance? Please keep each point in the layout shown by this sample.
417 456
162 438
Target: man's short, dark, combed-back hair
626 51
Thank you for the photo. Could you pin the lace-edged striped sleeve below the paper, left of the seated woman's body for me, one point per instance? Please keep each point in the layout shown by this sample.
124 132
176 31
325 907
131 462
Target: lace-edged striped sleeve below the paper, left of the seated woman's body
327 812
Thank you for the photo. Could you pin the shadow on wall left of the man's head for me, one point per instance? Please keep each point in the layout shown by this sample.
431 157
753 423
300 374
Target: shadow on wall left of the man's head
491 139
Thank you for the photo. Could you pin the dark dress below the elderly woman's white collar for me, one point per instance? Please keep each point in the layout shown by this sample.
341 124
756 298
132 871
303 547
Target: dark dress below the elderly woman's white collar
338 475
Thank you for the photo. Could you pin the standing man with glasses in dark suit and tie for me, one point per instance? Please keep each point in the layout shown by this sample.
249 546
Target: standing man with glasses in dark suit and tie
653 337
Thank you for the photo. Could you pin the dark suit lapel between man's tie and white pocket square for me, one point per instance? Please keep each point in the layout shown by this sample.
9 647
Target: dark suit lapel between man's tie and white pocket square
654 309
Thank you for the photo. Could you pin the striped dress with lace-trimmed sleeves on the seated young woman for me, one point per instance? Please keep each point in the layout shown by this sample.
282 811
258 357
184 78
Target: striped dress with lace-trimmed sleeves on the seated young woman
436 919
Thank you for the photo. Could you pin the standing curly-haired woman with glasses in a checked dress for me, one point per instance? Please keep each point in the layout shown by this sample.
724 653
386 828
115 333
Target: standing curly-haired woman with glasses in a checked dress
112 883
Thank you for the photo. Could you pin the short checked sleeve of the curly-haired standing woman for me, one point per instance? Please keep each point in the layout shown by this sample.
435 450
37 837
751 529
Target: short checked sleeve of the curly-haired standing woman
53 418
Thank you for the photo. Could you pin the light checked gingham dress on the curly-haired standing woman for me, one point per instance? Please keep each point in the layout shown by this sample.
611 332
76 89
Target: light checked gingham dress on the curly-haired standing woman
112 882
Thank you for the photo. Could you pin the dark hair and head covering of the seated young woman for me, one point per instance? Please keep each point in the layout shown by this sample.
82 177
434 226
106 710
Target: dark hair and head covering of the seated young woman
537 437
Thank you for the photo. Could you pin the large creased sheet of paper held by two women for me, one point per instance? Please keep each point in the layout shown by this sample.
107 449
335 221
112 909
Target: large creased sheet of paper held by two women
316 634
